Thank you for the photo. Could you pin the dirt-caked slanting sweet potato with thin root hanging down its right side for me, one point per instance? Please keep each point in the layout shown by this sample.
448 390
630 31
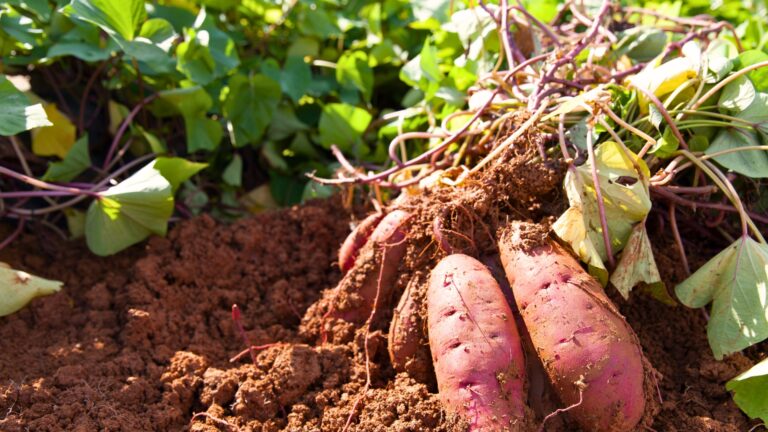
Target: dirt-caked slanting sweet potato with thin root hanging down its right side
376 277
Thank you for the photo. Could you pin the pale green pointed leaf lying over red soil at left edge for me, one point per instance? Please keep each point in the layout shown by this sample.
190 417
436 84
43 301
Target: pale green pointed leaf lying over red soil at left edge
17 288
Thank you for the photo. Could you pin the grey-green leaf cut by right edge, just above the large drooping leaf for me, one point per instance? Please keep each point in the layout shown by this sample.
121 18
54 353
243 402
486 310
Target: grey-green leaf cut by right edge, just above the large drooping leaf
751 163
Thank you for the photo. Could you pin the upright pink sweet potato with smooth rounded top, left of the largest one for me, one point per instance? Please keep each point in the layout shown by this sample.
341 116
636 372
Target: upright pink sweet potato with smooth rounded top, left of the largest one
475 346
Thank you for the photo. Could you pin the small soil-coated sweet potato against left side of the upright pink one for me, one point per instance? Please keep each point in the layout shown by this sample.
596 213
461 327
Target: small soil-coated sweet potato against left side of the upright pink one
408 349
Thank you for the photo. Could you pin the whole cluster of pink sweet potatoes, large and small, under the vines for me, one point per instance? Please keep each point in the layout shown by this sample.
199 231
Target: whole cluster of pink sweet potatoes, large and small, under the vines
476 333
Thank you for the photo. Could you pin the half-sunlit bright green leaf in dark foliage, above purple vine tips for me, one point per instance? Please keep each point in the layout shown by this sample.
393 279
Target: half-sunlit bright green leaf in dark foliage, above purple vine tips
342 125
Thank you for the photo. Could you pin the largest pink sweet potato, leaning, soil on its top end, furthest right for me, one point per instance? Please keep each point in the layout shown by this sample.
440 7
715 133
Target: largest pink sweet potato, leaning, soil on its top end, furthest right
590 353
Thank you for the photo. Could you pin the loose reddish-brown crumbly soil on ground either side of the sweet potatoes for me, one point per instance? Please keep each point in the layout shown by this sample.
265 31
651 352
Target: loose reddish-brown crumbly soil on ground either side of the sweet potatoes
141 341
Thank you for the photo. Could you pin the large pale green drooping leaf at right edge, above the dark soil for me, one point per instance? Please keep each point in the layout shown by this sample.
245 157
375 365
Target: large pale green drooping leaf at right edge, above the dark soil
736 282
